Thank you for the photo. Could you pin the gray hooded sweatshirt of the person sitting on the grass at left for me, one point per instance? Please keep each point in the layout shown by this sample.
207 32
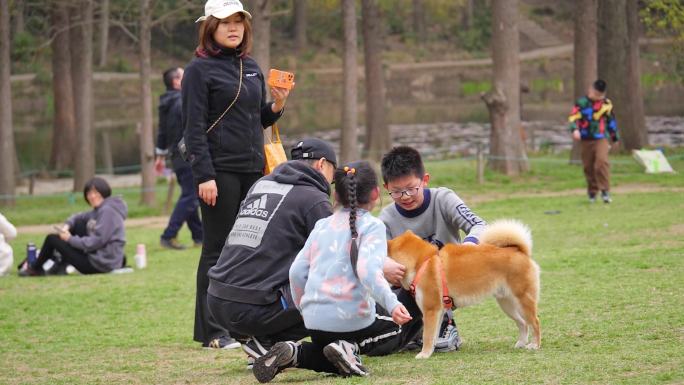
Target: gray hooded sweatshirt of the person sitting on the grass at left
106 237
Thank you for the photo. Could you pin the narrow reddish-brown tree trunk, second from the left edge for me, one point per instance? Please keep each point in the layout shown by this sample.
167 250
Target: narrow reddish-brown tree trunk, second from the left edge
63 124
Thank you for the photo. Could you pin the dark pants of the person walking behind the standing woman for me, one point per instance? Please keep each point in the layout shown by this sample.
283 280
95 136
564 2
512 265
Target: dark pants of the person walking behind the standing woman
186 207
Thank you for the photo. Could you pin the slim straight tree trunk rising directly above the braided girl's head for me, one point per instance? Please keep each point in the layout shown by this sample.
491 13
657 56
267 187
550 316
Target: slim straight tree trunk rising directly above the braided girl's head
349 134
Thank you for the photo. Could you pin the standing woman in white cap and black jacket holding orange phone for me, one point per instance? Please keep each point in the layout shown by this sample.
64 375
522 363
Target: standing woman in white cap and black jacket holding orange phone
225 110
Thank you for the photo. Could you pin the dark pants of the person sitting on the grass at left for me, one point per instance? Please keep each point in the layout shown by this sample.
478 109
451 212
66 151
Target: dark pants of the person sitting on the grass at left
70 255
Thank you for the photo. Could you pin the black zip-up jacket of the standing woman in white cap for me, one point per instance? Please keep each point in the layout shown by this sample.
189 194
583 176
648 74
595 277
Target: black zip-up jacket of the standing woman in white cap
236 143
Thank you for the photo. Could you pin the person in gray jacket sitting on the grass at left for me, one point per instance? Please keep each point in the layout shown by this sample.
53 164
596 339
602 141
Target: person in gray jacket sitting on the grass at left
91 241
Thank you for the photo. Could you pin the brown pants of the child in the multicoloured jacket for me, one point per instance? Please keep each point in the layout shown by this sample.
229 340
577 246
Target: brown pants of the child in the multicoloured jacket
596 166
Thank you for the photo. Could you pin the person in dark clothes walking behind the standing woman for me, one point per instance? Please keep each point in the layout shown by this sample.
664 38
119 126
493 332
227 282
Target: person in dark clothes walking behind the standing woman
170 132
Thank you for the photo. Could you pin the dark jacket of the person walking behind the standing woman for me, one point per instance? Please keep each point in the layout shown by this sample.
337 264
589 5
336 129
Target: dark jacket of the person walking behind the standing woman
170 121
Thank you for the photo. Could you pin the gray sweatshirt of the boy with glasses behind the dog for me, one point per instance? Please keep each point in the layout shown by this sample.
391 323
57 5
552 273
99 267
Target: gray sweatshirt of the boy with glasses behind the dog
440 218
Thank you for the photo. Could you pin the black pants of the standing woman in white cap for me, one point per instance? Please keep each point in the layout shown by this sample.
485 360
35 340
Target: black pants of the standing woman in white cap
217 221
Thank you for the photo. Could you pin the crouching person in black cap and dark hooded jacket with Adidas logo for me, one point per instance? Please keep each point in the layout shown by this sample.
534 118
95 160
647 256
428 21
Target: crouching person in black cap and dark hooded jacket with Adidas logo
249 290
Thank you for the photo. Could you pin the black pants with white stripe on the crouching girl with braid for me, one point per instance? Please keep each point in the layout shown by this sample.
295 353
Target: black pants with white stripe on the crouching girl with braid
382 337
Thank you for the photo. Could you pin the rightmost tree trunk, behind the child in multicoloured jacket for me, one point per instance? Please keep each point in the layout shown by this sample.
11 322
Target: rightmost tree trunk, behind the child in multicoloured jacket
639 139
